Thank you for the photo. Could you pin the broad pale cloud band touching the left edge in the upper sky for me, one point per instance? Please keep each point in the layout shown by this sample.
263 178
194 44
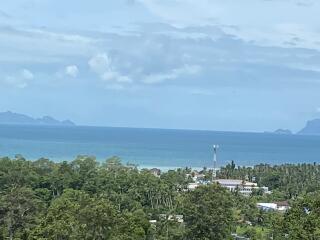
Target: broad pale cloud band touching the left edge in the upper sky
19 45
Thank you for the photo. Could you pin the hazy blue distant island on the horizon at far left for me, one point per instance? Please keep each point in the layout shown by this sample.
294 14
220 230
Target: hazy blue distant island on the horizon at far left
21 119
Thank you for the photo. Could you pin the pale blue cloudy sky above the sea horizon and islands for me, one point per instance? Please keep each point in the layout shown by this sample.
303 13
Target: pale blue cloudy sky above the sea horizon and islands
249 65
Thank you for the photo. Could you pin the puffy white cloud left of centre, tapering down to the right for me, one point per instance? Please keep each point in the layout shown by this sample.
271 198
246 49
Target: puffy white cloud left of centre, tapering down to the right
102 65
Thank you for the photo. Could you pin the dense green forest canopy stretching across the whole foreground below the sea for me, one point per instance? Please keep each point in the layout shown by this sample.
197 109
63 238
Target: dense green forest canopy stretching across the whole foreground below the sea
84 199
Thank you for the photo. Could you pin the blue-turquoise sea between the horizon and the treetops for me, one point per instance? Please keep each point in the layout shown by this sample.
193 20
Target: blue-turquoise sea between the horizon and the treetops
157 147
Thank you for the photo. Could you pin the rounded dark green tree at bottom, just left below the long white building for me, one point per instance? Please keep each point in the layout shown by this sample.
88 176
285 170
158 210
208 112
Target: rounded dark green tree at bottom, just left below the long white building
209 213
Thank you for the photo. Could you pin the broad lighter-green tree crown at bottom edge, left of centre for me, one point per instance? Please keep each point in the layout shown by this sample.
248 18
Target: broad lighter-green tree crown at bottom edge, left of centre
76 215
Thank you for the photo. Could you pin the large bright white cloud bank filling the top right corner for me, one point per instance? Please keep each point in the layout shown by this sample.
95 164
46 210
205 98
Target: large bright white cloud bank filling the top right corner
256 26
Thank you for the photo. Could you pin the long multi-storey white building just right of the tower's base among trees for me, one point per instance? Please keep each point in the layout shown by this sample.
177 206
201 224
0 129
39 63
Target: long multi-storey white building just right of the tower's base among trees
244 187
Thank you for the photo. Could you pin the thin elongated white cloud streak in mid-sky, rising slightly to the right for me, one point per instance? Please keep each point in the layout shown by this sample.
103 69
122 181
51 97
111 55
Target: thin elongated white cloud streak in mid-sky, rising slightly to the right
173 74
